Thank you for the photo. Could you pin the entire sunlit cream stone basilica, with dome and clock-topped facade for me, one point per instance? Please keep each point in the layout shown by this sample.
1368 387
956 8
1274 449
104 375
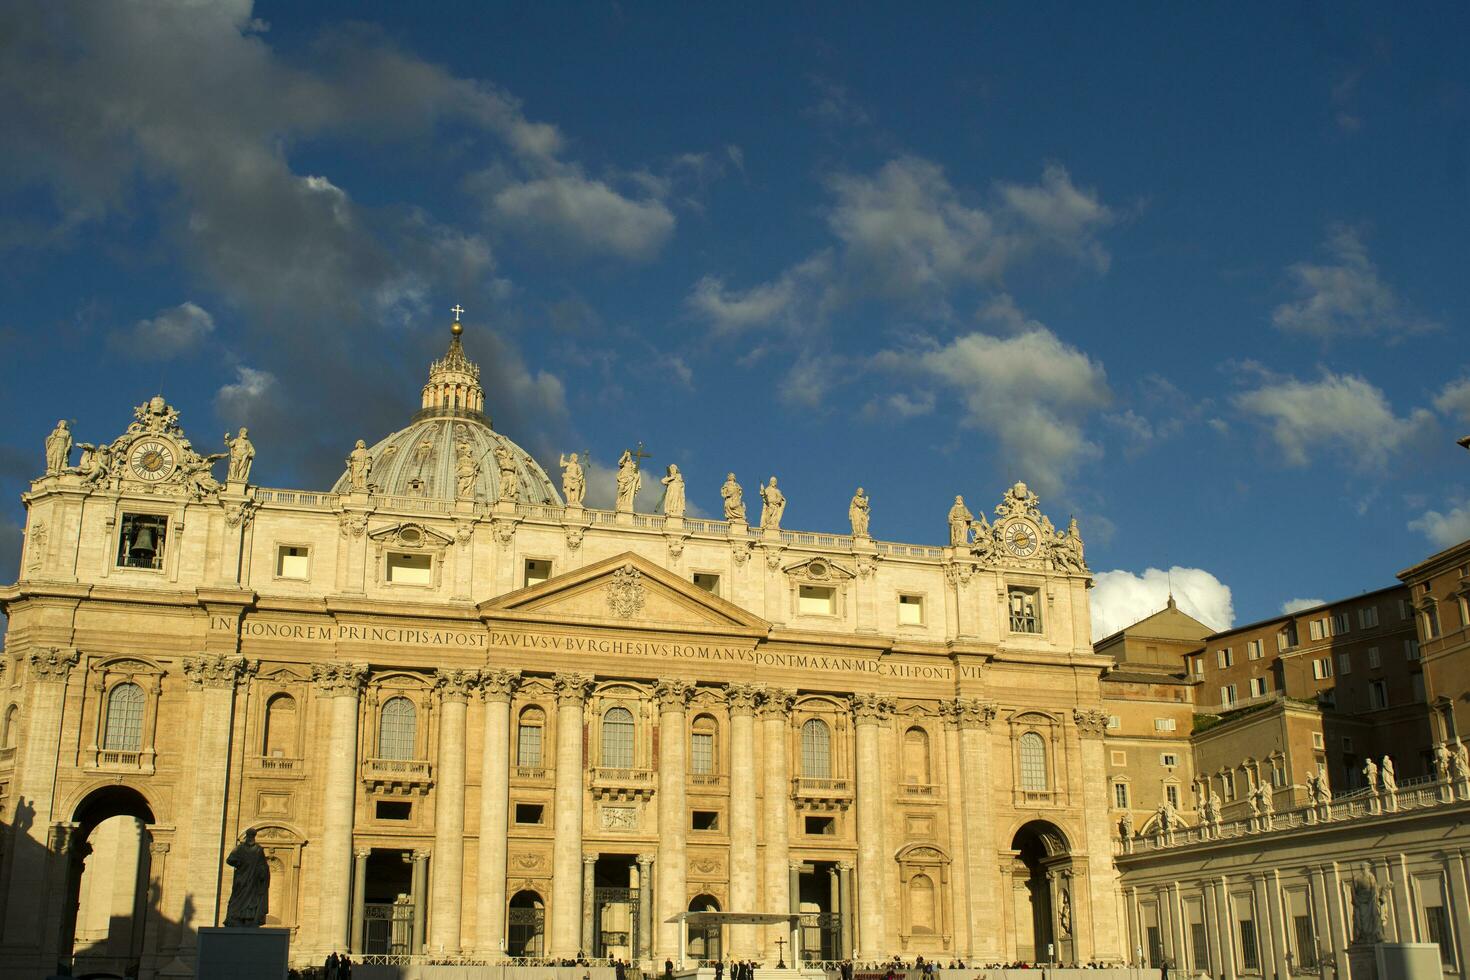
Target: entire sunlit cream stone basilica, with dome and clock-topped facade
476 722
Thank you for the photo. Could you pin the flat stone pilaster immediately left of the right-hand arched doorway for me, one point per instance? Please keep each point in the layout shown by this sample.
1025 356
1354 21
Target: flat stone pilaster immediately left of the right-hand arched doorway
983 866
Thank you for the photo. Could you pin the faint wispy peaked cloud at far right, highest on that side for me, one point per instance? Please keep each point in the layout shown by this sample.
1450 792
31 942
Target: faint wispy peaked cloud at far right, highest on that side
1346 298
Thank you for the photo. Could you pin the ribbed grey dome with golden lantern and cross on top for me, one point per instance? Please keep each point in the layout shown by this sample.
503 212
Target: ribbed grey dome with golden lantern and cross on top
421 459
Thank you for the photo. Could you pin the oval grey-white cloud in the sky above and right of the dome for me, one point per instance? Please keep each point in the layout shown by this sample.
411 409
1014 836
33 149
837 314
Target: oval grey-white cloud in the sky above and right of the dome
573 211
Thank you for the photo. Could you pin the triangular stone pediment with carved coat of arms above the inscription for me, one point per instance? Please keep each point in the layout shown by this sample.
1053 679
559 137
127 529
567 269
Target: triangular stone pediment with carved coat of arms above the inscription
627 591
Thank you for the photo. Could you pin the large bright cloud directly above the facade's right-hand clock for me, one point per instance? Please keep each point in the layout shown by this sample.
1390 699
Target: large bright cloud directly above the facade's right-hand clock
1033 392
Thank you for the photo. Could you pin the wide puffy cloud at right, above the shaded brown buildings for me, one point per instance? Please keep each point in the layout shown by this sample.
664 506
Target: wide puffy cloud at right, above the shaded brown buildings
1340 414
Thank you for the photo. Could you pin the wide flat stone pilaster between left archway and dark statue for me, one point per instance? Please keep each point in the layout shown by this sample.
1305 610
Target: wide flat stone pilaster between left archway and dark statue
214 680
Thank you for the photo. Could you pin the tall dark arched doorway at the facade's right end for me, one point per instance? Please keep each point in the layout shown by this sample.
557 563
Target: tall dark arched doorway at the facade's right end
1041 891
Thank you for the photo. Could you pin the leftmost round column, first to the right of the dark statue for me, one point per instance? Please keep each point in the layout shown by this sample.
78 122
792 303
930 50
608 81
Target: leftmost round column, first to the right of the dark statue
342 687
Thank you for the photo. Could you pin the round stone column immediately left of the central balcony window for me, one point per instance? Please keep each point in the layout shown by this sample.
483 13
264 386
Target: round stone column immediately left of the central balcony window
567 857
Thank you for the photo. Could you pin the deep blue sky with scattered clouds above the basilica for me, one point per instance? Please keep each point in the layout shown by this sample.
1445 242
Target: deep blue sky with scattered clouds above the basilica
1193 273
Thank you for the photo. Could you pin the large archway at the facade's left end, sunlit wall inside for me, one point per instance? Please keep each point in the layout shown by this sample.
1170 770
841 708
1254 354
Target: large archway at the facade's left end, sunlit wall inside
108 900
